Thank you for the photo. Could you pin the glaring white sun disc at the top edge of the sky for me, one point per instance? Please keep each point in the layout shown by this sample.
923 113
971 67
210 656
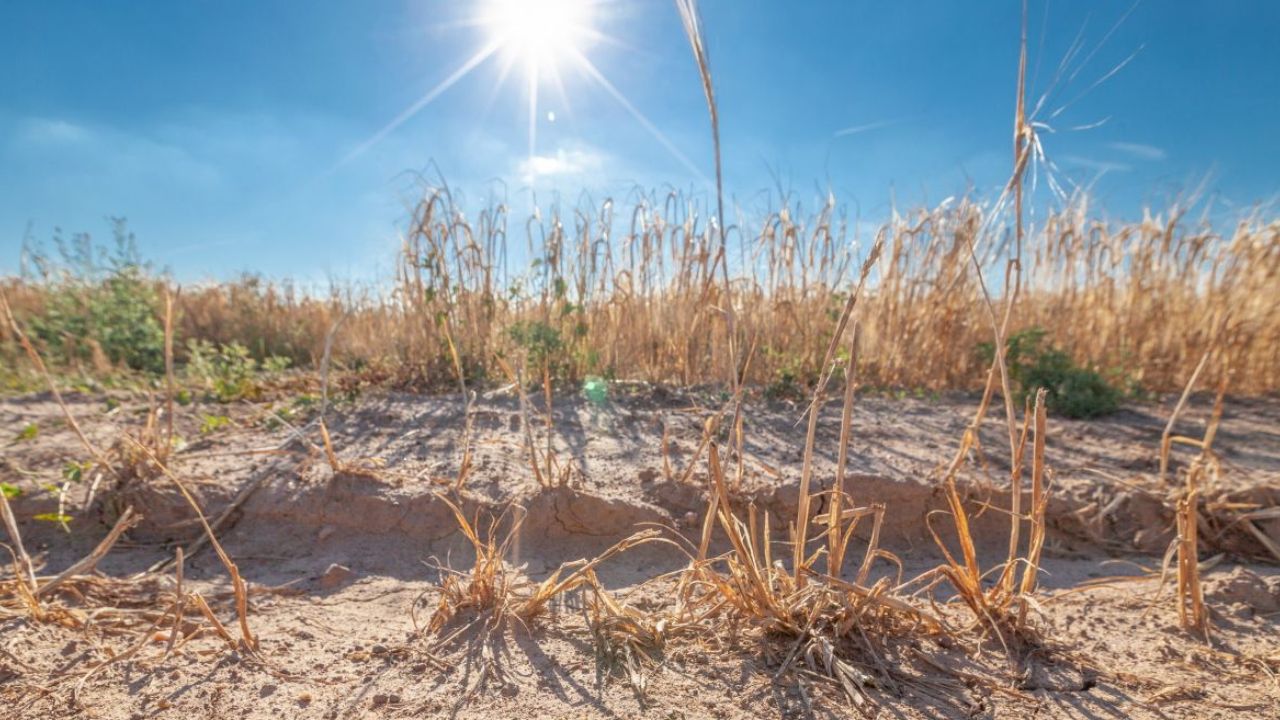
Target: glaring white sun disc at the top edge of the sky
538 33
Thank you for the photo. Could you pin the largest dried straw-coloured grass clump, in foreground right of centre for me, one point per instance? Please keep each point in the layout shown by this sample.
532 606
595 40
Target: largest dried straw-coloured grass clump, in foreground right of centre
854 634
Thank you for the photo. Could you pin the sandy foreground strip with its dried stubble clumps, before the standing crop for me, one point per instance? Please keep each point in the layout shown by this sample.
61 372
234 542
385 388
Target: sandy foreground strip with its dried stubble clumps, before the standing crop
364 599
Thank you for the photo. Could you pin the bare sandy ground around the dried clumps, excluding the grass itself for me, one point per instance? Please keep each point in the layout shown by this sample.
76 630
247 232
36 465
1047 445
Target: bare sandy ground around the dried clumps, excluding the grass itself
341 564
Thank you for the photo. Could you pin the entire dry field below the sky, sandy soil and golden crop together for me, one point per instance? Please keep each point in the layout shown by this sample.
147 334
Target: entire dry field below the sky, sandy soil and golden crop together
653 459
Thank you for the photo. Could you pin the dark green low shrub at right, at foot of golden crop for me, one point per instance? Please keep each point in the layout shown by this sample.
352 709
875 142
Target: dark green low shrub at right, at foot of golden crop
1071 390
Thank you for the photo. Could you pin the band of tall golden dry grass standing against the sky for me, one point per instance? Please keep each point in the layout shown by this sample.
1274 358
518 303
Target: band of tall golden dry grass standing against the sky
632 291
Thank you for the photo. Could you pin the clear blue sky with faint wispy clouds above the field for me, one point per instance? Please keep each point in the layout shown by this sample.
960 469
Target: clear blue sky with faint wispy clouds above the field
227 133
